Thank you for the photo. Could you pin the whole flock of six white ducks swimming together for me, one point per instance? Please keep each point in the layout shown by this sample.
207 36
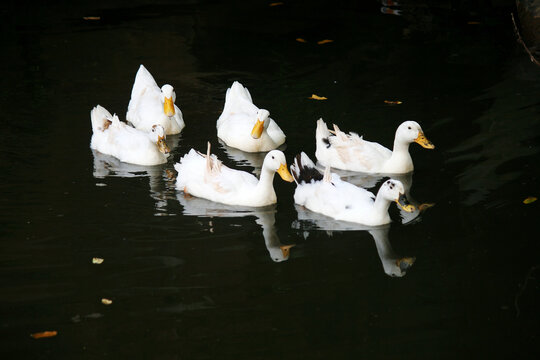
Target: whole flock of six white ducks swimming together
152 115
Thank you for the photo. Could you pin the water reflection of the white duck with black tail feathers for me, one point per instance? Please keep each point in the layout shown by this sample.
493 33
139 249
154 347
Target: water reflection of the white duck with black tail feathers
393 264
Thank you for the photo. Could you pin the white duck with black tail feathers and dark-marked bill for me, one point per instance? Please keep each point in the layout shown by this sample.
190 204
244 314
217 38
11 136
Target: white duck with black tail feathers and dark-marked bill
329 195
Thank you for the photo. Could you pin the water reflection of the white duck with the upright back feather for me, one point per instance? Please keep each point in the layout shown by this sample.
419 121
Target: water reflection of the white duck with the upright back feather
265 217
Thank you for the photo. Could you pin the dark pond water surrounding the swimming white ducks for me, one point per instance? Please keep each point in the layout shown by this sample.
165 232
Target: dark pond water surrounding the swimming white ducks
192 280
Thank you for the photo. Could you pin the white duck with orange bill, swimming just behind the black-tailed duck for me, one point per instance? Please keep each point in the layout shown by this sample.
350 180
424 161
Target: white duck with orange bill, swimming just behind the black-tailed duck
351 152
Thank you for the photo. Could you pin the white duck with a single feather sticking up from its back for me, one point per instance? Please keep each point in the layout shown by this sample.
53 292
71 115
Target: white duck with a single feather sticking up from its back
205 176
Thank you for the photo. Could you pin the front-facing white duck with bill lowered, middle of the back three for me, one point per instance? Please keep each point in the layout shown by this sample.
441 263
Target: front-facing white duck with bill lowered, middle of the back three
244 126
